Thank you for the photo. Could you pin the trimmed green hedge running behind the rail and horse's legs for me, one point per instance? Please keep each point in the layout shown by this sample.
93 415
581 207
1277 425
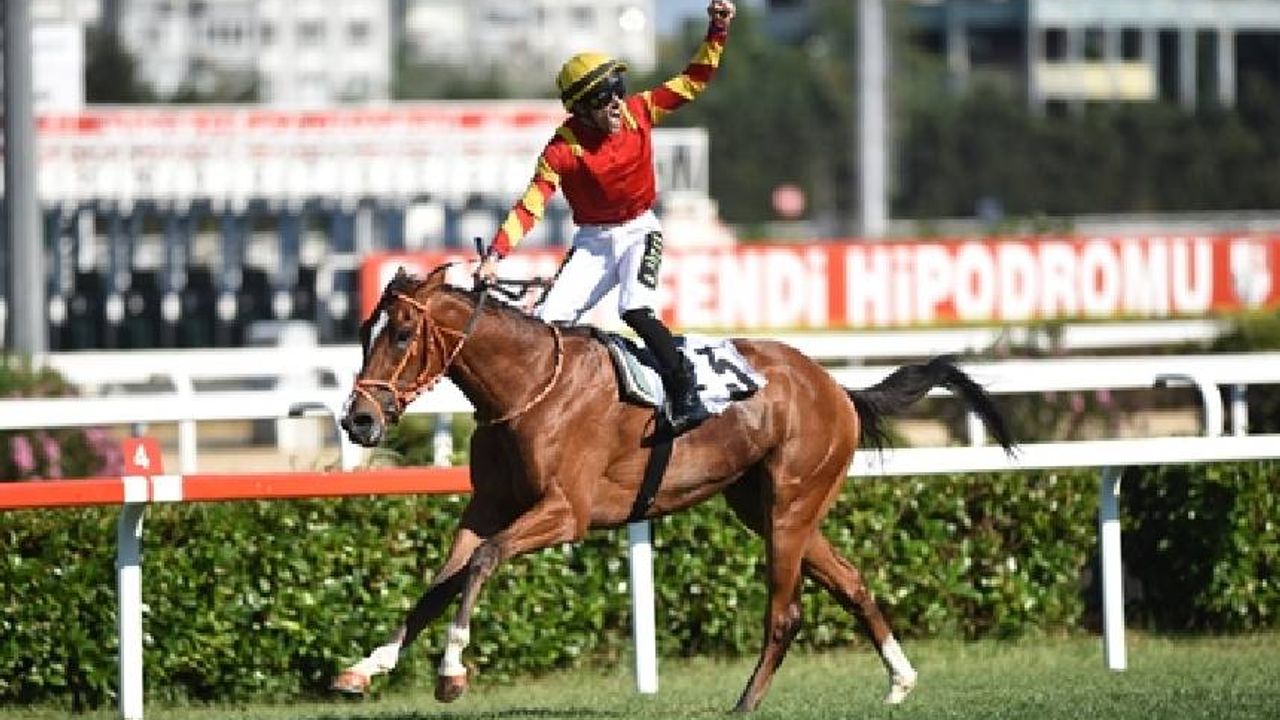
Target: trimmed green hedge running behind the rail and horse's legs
257 600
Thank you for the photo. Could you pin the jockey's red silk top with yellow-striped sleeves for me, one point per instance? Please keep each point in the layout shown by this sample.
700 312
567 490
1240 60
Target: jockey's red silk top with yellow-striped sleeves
607 177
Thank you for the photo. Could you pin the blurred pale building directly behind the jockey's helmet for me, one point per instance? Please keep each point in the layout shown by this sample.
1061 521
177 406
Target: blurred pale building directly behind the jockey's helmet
528 40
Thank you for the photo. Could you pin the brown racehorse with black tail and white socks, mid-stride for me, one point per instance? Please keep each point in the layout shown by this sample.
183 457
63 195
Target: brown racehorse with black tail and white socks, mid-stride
557 454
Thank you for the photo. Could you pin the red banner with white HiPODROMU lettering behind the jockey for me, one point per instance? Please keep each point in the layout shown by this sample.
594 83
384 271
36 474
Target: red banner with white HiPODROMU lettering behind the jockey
880 285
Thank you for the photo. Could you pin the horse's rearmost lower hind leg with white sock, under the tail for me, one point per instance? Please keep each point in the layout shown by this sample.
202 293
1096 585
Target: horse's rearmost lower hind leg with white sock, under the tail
833 572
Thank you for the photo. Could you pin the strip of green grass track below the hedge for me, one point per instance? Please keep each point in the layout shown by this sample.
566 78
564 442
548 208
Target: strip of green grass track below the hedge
1048 680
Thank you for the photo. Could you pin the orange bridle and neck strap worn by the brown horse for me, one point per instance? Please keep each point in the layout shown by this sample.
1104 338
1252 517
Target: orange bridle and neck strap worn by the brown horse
435 341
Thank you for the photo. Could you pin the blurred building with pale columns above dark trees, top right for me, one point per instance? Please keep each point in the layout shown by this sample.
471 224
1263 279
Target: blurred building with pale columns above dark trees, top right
1190 52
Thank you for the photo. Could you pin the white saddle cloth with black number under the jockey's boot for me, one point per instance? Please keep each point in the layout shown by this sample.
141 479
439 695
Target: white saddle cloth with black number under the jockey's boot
723 373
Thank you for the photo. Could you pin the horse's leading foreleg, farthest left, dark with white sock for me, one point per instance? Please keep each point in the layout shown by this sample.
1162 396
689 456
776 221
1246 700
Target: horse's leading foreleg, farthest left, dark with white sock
445 587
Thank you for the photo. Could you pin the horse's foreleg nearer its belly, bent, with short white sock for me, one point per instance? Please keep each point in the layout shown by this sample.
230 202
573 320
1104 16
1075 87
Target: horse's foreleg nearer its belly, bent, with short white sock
547 523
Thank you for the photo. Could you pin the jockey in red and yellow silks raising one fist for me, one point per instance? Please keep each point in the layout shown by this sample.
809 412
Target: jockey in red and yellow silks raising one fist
604 158
